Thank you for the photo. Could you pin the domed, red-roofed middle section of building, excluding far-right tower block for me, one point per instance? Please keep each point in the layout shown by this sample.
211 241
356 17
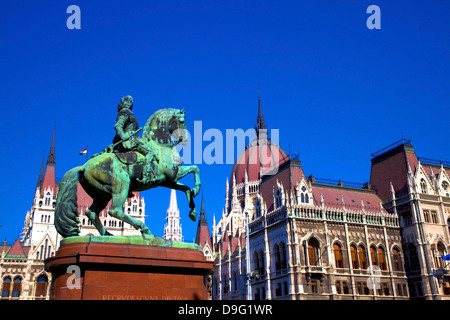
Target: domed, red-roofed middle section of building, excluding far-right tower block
308 239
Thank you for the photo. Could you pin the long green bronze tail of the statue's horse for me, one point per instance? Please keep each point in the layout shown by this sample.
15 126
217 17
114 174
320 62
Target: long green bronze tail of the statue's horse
66 209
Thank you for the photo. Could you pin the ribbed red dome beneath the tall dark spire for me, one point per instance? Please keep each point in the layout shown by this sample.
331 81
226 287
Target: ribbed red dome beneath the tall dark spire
272 157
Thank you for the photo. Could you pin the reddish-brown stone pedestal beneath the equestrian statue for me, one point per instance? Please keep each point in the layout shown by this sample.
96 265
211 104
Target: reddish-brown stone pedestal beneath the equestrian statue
110 271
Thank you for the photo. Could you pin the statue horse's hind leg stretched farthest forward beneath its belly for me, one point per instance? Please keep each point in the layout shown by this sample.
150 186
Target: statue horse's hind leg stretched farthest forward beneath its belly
119 196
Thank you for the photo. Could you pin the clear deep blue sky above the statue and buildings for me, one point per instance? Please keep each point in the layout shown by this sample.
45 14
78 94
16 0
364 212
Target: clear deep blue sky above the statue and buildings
334 88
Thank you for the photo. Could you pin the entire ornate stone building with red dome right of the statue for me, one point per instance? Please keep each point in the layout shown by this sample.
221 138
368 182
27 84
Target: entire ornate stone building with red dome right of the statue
323 239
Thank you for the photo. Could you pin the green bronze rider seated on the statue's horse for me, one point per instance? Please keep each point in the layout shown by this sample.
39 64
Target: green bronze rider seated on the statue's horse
126 127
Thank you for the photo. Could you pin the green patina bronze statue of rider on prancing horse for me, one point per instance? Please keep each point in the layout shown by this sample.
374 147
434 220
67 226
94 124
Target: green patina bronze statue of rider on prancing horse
129 164
